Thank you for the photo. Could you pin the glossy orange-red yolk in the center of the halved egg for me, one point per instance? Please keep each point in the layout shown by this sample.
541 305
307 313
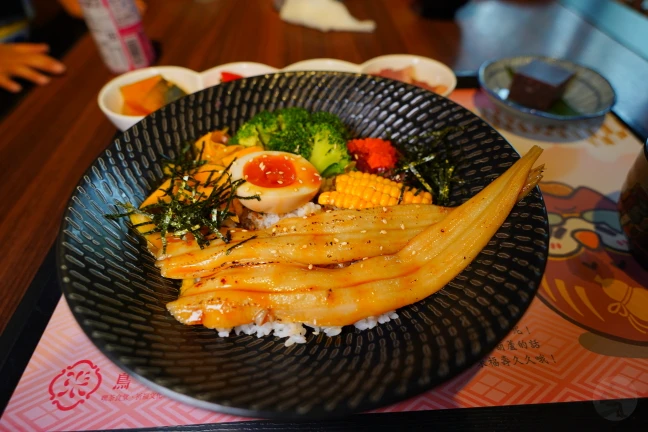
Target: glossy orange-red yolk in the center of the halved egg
270 171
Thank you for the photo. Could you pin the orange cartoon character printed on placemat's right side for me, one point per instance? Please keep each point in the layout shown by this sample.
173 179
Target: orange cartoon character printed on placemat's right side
591 278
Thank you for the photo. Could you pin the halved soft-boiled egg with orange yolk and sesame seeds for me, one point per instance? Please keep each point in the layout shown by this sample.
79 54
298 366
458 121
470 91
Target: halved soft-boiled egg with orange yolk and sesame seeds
282 181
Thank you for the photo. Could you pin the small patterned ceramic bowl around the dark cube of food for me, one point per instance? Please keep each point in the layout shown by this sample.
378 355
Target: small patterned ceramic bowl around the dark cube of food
588 94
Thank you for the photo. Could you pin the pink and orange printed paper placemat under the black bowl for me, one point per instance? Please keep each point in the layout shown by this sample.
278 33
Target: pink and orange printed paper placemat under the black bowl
585 336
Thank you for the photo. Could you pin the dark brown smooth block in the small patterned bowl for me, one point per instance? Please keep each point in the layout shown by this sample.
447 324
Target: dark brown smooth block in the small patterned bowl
539 85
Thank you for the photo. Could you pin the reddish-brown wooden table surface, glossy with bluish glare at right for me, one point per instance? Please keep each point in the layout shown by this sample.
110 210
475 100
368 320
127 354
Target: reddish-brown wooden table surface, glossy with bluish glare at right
56 131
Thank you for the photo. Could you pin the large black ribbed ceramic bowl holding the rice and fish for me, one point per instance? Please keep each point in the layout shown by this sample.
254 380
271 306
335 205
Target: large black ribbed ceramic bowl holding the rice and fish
119 297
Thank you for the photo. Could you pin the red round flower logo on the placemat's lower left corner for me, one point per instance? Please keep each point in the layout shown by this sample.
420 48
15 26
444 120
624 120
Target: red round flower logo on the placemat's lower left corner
74 385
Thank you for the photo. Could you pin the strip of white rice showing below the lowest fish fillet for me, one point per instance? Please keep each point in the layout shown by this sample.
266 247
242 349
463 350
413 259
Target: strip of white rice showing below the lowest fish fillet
295 333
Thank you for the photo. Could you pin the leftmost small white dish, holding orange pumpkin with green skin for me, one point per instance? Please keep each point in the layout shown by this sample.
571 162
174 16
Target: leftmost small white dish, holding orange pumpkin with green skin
111 102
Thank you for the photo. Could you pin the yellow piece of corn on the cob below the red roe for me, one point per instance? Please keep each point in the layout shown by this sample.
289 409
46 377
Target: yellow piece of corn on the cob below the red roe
358 190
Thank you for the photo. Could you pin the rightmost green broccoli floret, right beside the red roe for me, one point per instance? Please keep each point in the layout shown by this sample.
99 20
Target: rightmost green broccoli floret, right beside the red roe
329 153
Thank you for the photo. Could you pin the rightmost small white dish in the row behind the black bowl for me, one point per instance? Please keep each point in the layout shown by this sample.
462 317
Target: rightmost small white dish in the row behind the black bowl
430 71
